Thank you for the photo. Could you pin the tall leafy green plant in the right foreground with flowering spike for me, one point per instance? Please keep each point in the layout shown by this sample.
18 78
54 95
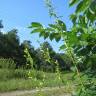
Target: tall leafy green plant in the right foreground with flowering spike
79 42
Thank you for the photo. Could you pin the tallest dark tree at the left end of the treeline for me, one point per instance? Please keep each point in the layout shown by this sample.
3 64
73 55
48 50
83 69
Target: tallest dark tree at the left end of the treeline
9 45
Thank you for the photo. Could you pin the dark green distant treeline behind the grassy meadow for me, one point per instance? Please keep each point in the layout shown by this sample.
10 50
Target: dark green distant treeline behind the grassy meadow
10 47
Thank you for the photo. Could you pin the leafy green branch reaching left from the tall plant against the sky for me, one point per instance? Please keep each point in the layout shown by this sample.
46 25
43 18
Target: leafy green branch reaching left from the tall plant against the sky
53 31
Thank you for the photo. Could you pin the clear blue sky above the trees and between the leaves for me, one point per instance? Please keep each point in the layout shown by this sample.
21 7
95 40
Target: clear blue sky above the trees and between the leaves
20 13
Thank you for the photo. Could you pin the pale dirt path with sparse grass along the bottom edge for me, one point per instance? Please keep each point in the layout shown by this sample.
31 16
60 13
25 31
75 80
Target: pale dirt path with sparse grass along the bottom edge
48 91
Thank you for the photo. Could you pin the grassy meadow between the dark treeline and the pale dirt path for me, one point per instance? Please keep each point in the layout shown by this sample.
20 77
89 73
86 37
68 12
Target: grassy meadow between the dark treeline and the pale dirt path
17 80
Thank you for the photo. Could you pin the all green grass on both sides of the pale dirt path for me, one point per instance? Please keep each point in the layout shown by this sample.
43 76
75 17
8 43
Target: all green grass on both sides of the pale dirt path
11 80
